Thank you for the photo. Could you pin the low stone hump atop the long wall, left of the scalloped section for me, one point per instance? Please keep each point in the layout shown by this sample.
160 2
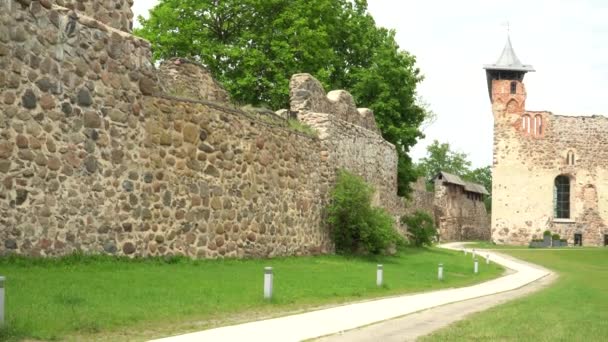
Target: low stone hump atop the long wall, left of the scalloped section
187 79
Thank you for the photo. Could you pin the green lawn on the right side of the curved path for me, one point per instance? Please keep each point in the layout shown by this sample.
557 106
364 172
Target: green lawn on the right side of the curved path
574 308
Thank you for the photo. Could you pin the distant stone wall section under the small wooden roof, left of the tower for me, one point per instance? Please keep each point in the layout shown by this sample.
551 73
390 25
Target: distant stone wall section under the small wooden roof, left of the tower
459 218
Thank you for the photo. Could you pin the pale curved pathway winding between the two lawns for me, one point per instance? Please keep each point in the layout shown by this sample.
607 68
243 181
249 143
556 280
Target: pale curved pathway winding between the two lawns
335 320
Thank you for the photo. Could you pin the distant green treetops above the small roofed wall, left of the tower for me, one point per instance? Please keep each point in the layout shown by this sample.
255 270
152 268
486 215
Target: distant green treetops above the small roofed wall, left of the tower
440 157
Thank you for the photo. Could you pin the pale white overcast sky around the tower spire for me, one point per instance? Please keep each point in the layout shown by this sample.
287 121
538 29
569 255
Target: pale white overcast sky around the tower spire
565 40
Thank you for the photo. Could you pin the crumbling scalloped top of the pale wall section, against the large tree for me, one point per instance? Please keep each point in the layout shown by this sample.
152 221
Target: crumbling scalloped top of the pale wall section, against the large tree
307 95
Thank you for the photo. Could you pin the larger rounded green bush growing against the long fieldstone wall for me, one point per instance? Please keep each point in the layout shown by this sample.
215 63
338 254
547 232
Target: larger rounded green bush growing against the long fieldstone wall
356 226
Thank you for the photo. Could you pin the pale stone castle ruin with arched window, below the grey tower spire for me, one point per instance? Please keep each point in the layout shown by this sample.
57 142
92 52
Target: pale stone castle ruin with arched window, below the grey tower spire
527 163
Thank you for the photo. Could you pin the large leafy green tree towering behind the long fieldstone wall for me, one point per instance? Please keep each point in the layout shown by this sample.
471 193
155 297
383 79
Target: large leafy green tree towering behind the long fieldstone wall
254 46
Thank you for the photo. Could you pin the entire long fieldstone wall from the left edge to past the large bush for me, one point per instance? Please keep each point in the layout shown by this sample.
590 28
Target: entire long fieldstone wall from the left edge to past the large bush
95 155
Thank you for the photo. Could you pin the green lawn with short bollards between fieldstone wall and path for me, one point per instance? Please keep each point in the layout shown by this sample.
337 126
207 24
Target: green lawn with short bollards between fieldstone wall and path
97 298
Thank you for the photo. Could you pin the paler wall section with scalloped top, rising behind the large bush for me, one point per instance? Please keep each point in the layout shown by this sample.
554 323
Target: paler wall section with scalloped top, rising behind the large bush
350 139
